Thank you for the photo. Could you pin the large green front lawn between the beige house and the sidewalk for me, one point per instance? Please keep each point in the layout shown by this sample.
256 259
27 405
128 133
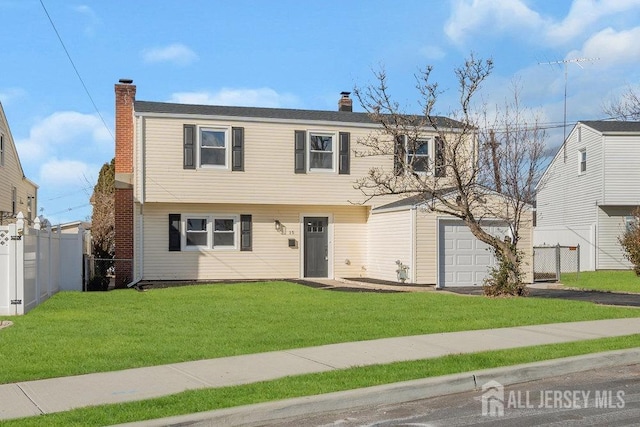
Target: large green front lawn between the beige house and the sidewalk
76 333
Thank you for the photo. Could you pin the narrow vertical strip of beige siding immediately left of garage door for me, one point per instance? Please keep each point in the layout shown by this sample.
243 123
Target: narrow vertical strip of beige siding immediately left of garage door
426 247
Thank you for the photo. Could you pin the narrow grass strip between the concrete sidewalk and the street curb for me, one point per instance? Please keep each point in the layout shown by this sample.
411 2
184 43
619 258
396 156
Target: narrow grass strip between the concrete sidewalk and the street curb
313 384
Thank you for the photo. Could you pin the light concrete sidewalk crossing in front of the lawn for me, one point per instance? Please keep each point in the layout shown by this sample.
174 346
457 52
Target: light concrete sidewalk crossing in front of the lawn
60 394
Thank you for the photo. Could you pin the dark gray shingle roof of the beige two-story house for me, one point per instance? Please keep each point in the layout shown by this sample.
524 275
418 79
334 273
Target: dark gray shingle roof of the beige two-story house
266 113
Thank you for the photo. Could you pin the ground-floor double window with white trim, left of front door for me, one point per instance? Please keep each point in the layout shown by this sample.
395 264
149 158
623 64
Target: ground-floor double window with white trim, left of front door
210 232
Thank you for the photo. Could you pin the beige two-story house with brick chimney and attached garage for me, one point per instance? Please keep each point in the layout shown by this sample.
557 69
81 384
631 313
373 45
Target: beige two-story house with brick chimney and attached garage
218 193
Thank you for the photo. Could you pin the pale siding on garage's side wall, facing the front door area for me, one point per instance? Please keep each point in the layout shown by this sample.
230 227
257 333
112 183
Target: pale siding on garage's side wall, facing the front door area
389 240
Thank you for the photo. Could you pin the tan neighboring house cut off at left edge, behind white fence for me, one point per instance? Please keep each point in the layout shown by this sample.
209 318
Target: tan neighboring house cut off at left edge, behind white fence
17 192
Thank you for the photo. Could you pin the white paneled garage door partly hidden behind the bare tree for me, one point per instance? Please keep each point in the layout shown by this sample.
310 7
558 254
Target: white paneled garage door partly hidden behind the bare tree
463 259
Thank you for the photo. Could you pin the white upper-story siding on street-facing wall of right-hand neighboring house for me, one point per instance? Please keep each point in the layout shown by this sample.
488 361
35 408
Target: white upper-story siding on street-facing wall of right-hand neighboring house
622 170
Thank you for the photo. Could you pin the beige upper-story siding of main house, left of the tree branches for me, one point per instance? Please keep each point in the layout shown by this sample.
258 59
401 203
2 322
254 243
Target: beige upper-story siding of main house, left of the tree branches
268 162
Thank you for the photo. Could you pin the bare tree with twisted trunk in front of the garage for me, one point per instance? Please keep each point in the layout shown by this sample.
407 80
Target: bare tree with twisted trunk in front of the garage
475 174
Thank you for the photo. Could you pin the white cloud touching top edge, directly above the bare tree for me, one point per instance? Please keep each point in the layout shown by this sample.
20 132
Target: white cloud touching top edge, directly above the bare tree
489 16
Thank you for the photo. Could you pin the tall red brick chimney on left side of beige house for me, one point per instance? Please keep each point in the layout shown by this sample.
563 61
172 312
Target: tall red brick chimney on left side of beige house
125 97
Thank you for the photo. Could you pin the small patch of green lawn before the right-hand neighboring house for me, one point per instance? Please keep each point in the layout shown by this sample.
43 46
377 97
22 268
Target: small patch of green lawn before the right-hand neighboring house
603 280
